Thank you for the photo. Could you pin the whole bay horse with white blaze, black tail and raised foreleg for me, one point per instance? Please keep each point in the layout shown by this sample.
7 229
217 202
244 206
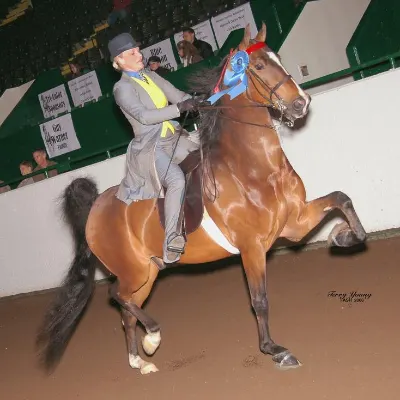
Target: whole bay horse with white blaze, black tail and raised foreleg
258 198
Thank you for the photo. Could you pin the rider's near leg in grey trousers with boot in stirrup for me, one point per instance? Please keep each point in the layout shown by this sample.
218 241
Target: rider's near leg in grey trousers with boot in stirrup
174 181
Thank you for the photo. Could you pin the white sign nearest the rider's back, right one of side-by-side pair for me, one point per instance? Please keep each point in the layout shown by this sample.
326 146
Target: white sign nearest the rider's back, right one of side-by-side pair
84 88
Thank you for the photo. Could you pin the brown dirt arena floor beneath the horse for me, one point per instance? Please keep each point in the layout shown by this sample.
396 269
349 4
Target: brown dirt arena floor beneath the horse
209 348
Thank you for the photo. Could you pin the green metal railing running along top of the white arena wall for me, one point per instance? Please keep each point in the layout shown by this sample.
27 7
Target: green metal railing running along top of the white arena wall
66 166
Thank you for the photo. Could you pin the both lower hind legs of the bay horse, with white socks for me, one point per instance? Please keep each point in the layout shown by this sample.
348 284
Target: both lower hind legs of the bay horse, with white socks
131 313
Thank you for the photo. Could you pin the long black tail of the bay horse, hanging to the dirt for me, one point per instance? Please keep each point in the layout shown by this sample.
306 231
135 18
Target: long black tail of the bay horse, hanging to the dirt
76 290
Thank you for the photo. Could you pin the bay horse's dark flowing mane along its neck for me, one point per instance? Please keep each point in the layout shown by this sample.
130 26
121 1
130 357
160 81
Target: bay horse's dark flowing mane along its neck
203 81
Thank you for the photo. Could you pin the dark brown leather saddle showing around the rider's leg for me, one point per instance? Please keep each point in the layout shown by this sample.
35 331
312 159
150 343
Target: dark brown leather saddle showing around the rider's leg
193 206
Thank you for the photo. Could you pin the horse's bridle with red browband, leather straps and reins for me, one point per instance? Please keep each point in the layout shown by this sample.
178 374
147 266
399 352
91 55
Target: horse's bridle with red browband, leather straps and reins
254 77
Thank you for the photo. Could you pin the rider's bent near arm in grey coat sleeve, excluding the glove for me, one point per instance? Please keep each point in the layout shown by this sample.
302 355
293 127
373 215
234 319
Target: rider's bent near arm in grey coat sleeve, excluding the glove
129 101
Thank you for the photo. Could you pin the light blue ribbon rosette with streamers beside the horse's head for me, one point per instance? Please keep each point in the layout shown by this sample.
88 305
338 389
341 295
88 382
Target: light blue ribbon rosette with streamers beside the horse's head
236 80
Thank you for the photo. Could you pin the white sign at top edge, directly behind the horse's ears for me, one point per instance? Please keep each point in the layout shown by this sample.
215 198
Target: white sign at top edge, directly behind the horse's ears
237 18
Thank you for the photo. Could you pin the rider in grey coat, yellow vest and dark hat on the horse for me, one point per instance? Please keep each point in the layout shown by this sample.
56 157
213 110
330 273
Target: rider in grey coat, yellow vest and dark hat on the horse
143 98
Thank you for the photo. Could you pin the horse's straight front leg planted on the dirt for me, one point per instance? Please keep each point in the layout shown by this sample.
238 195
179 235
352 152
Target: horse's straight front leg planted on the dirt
254 263
